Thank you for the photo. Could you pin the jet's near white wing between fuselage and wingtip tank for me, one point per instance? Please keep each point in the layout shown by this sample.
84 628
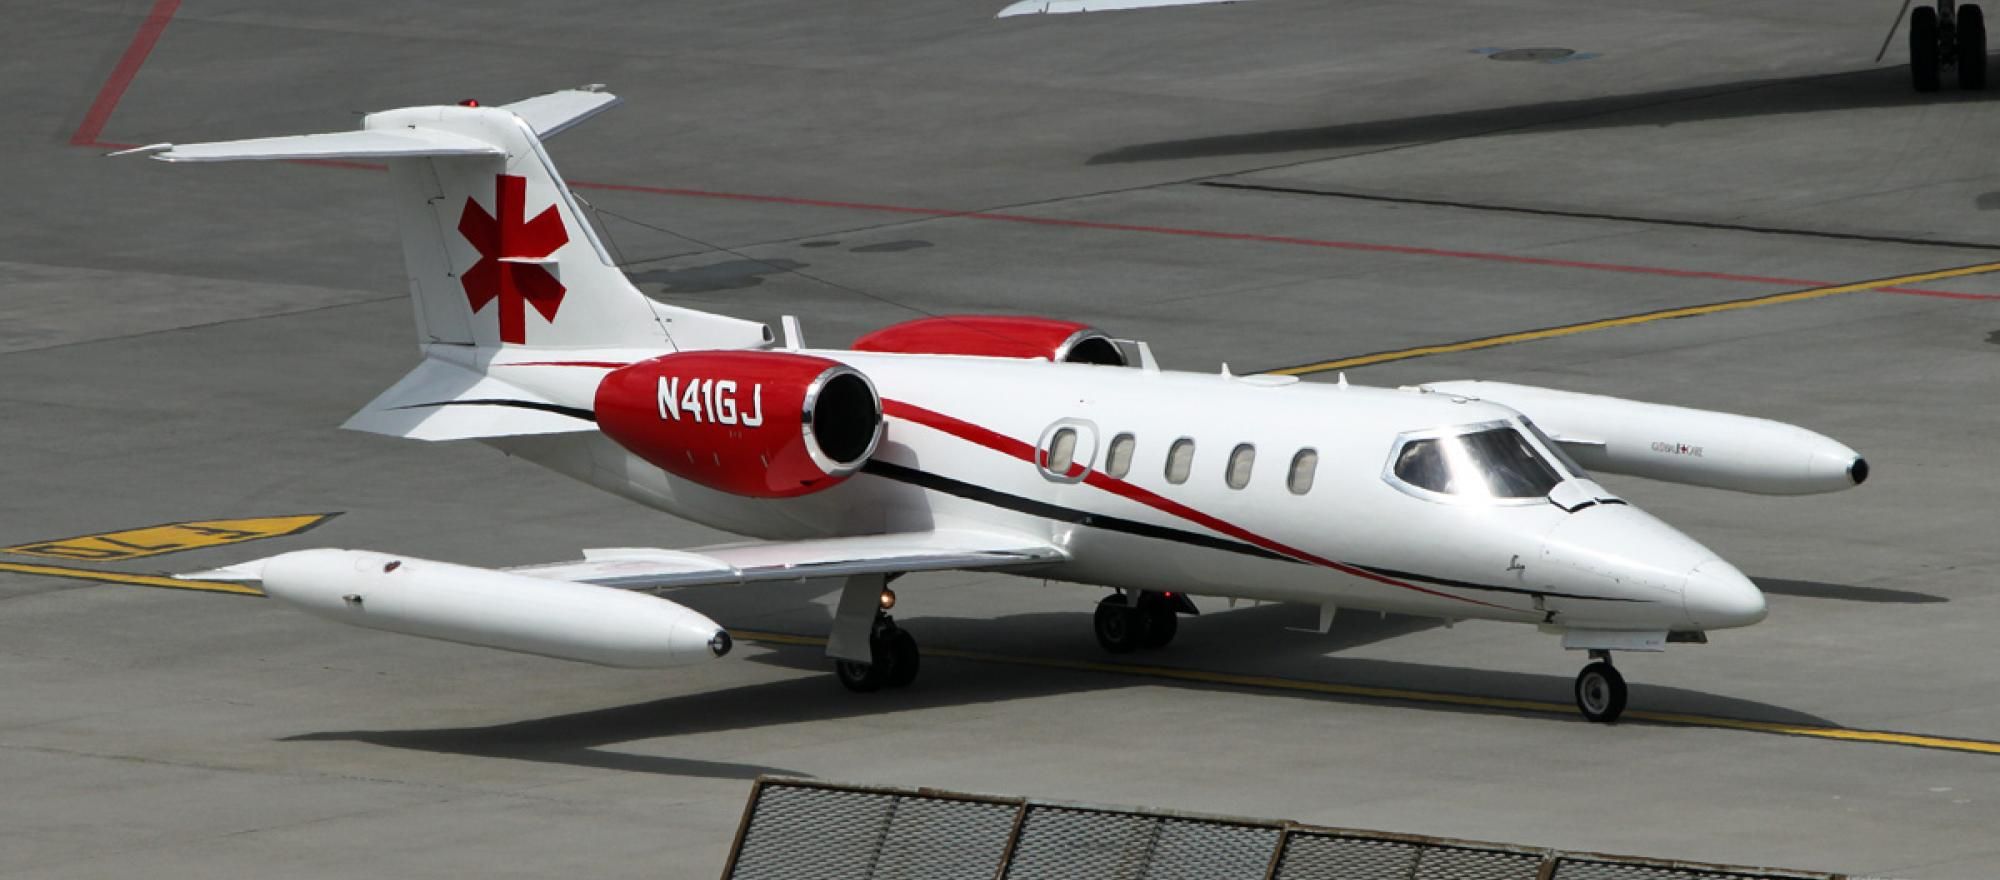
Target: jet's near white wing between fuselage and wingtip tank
649 569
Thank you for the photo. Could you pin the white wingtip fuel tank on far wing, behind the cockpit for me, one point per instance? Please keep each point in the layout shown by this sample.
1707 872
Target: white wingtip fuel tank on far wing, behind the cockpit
1675 443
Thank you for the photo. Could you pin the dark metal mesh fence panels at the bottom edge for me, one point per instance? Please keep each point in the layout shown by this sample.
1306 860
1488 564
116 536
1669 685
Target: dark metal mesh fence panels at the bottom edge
823 831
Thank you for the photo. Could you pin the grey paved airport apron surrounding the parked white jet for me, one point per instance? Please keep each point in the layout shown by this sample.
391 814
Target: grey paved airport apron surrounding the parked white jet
181 345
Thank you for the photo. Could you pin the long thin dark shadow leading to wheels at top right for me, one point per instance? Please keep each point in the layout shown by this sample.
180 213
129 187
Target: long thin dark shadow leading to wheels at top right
1799 95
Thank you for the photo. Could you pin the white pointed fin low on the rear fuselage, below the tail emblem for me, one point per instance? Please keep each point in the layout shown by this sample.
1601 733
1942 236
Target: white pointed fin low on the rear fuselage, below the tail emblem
443 401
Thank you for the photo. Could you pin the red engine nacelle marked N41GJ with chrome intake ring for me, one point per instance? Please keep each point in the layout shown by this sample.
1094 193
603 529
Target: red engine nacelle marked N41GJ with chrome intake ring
765 425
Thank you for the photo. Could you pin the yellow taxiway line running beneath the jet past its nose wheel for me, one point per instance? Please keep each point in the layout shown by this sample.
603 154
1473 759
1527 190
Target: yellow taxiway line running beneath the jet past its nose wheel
1423 697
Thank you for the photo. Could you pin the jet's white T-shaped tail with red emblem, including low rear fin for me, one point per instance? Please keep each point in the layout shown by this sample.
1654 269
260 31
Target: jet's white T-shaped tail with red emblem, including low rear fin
499 259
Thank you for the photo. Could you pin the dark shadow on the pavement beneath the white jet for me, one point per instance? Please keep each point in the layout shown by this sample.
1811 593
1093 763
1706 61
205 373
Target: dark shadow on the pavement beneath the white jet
1243 641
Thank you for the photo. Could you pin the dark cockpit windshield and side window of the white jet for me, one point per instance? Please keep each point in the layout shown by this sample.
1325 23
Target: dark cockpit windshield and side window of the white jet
1493 463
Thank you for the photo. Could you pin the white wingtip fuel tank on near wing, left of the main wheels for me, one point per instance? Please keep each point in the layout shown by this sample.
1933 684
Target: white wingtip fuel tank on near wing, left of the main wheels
493 609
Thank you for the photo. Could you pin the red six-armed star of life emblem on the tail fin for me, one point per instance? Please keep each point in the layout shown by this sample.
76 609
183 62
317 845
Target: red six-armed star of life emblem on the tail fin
507 239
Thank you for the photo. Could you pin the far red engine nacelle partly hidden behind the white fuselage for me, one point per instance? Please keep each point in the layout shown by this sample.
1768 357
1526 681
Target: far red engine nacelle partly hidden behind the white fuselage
997 337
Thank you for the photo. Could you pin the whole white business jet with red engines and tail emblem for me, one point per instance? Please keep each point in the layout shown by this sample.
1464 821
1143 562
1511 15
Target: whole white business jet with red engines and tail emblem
979 443
